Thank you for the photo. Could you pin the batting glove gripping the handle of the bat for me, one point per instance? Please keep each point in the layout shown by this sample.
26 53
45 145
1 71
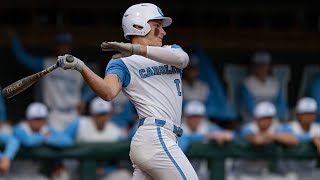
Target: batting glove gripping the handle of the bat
70 62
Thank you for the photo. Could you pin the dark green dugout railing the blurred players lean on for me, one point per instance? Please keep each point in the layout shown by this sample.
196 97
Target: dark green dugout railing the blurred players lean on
89 154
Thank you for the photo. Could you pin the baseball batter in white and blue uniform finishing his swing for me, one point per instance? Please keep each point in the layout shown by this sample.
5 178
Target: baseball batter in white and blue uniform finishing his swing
149 74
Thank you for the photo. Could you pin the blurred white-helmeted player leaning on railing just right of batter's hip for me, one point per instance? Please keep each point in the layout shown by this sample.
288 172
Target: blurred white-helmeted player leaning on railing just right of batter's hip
196 127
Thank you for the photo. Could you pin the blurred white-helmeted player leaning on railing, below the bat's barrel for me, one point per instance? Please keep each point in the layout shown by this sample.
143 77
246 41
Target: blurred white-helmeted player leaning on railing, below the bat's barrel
34 132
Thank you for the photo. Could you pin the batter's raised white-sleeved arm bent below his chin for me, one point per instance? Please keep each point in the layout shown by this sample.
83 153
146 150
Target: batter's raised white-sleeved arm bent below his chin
171 56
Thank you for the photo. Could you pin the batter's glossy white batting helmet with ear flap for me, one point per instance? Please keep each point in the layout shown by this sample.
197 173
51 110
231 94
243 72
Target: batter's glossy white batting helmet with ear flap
139 15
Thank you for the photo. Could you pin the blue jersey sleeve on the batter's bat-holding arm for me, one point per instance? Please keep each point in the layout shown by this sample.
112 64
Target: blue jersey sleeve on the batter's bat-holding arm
117 66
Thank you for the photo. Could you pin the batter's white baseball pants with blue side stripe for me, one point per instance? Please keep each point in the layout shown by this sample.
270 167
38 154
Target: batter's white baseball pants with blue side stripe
155 154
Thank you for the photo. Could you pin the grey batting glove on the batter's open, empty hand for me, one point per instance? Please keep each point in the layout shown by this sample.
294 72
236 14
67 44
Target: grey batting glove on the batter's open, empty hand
124 49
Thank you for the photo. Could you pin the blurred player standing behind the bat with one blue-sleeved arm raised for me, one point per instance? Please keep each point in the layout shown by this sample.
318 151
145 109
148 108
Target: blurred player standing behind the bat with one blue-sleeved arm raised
61 90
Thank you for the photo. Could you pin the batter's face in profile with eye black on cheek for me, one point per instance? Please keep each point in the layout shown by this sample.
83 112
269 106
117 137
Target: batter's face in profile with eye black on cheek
156 34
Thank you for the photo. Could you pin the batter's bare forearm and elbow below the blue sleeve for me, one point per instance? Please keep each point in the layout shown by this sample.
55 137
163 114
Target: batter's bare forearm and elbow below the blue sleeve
106 89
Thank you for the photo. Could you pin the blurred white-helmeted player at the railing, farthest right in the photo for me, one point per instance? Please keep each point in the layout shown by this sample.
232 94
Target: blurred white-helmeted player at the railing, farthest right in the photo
305 130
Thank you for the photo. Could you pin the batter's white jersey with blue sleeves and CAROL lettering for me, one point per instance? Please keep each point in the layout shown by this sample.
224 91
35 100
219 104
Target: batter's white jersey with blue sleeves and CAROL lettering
154 88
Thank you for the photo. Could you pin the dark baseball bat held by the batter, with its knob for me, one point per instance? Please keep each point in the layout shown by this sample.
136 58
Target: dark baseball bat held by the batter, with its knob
22 84
